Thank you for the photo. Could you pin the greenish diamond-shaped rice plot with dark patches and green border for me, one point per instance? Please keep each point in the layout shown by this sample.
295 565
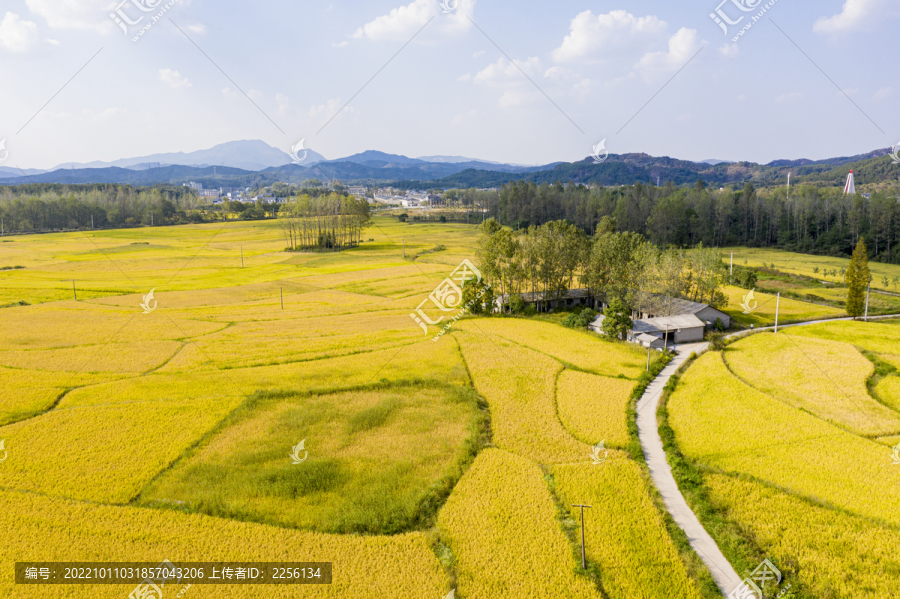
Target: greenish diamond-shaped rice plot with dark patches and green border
374 461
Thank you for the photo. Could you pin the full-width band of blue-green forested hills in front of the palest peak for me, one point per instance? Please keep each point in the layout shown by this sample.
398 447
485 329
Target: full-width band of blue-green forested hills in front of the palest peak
623 169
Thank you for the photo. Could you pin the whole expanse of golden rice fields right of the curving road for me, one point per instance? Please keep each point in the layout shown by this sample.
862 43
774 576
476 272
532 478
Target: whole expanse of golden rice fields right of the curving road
794 450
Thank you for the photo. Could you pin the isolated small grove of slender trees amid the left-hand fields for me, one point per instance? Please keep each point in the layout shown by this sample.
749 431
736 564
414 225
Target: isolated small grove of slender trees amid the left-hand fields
324 222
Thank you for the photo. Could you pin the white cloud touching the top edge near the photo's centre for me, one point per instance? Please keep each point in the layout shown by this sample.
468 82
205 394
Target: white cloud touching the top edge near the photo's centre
403 22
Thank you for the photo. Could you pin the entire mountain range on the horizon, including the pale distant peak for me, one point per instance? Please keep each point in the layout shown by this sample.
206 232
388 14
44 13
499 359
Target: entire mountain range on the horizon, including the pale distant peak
252 163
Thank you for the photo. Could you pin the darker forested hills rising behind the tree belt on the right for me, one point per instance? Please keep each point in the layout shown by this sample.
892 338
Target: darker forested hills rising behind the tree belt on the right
628 169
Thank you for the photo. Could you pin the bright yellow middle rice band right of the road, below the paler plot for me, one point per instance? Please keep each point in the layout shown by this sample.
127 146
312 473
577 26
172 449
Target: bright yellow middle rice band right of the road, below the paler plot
723 423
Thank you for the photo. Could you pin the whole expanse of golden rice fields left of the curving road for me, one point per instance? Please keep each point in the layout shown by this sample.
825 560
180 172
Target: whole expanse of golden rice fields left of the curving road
171 433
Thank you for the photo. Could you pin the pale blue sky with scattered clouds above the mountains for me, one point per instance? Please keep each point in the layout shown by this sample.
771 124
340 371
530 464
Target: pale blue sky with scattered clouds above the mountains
590 66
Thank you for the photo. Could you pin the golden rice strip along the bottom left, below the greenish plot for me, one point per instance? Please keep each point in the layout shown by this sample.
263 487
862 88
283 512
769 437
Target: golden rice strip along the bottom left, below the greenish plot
401 566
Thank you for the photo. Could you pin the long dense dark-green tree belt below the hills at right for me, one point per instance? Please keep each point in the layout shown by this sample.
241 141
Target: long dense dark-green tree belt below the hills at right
805 218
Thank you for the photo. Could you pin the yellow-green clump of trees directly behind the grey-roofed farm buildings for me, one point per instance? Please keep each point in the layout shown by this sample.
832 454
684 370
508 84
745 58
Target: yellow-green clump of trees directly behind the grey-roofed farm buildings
621 266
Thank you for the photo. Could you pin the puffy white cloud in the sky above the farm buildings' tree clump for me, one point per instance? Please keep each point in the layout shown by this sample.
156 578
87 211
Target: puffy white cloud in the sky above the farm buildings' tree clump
604 36
